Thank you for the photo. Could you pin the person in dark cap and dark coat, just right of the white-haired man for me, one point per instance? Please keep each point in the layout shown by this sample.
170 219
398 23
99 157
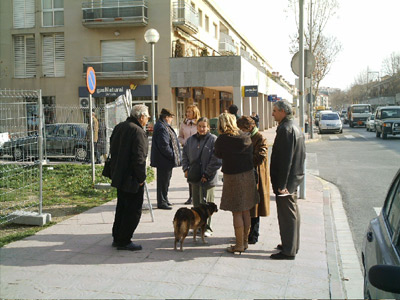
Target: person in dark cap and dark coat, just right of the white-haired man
165 155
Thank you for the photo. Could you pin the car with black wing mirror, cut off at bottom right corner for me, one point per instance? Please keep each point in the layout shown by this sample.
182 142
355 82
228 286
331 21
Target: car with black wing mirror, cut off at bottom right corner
381 245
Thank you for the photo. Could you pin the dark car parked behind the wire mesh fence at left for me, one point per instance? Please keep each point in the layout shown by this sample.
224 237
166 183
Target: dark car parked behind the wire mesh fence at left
63 140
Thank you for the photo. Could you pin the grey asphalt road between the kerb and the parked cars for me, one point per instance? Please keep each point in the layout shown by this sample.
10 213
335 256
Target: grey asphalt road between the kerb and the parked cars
362 167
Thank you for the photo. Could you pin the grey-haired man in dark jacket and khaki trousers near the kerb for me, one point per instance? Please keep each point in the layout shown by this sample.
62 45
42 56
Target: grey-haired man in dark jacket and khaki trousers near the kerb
287 173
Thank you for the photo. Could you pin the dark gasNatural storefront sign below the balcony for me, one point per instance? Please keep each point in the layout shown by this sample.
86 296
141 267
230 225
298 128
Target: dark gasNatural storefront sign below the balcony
116 91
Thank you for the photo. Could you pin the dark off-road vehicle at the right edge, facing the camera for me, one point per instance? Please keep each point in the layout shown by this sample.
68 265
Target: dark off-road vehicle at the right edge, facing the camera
387 121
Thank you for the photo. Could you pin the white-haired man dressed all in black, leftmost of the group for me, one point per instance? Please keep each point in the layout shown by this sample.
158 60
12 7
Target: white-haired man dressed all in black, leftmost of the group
129 146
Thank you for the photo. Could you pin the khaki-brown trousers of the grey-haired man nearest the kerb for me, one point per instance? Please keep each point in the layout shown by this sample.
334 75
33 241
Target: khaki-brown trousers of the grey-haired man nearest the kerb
289 223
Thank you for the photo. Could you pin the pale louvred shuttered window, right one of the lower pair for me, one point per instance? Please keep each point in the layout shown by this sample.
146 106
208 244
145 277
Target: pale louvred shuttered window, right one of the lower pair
53 55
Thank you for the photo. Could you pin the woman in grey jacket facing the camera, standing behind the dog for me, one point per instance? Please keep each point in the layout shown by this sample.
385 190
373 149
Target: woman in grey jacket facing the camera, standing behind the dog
201 165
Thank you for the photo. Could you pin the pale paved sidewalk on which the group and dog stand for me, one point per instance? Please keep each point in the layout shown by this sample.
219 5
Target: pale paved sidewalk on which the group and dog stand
74 259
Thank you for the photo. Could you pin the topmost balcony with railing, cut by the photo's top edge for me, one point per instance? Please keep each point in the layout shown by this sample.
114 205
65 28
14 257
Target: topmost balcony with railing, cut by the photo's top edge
117 13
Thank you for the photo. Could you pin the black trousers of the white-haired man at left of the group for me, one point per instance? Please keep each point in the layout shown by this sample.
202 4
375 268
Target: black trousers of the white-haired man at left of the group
127 215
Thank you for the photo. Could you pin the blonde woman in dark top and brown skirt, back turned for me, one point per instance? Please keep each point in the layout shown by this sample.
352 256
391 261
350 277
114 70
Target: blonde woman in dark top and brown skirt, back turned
239 192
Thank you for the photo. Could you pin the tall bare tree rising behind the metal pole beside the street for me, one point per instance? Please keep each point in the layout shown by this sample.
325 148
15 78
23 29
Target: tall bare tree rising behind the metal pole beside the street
324 48
